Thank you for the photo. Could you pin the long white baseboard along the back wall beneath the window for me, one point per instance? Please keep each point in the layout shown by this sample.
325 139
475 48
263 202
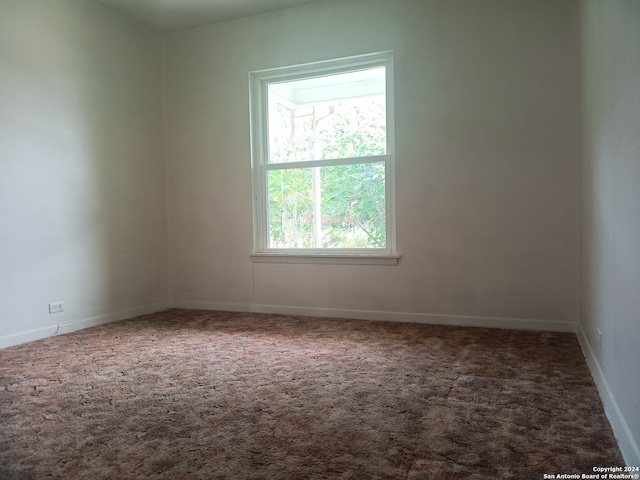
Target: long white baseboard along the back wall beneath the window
427 318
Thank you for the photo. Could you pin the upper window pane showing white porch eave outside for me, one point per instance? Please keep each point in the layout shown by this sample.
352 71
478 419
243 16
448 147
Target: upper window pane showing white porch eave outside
335 116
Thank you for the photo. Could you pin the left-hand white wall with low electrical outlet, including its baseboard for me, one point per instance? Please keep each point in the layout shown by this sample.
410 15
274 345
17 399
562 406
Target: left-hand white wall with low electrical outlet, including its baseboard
82 181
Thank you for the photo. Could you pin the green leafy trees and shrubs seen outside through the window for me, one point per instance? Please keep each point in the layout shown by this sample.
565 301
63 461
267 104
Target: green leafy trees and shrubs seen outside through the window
352 198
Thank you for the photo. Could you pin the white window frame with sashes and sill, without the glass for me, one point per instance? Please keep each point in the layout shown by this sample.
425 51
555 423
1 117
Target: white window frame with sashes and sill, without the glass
258 83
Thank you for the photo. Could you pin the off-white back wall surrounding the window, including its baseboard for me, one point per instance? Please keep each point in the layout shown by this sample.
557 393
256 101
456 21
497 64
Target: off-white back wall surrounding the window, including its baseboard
487 123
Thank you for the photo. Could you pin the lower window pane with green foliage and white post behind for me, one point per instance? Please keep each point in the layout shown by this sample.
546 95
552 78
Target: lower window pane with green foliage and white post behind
339 206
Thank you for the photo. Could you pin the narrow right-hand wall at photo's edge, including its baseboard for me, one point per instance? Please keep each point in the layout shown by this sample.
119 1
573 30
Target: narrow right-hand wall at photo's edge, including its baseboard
611 214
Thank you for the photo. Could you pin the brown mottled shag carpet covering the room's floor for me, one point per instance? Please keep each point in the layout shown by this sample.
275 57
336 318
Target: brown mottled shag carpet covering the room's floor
217 395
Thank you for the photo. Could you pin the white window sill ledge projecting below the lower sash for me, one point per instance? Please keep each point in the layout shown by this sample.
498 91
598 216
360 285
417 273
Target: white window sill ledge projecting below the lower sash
327 258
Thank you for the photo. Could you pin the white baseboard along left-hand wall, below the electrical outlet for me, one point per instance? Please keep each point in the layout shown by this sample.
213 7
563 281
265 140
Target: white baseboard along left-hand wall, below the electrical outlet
74 325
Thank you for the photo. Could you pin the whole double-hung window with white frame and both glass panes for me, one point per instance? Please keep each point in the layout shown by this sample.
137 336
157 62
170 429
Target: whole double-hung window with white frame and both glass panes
322 158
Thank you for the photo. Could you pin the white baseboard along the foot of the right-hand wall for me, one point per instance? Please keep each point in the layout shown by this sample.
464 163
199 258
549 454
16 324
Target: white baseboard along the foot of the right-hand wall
628 445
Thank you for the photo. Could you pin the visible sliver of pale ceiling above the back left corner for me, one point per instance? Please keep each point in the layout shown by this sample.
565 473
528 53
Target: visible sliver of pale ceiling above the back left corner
171 15
